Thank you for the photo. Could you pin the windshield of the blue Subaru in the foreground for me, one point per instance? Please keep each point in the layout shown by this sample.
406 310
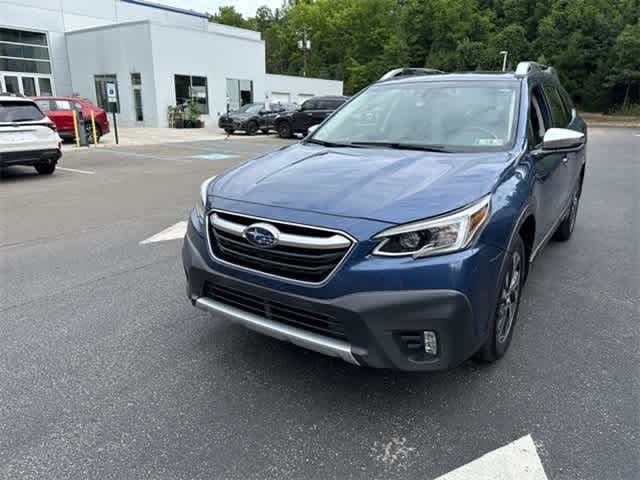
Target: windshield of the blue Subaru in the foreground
465 116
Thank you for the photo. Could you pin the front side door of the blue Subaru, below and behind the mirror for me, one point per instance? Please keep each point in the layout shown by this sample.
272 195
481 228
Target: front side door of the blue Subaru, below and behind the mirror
547 166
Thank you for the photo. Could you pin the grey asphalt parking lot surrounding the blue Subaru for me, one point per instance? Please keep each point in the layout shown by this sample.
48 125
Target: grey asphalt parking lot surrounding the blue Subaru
107 371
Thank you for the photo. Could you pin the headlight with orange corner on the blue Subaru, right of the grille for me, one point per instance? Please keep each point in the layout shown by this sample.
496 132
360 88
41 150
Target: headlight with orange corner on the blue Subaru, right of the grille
438 235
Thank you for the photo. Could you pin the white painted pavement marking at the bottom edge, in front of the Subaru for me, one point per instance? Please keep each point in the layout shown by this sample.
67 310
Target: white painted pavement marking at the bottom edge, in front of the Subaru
518 460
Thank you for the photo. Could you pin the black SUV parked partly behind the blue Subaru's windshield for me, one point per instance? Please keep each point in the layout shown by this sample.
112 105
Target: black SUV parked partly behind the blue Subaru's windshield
312 112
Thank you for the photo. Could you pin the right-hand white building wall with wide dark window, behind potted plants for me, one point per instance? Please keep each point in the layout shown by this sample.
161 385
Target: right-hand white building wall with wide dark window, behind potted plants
218 56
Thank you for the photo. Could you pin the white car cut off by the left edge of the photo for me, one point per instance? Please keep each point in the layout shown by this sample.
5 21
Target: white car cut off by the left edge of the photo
27 136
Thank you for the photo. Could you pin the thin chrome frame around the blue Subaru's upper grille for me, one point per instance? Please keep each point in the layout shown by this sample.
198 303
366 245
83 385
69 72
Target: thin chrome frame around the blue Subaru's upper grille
354 242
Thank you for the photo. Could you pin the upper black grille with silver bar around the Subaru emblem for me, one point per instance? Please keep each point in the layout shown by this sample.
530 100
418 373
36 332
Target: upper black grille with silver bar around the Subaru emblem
314 255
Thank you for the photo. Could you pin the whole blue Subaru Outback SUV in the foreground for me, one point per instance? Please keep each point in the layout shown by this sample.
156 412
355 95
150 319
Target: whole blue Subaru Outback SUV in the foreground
400 232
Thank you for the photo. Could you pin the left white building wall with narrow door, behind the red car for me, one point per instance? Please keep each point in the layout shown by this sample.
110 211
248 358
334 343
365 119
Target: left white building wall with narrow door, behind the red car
121 50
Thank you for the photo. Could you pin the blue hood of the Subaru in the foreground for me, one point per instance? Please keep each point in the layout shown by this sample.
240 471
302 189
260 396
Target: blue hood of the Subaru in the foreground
394 186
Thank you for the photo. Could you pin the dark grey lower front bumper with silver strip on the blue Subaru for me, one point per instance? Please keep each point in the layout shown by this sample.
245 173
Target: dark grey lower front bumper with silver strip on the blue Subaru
376 323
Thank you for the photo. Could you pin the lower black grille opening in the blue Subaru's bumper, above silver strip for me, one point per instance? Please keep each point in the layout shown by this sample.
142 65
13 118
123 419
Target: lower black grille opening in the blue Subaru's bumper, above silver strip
293 316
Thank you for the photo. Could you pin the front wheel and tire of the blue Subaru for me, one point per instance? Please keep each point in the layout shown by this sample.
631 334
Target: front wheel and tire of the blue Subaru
507 304
